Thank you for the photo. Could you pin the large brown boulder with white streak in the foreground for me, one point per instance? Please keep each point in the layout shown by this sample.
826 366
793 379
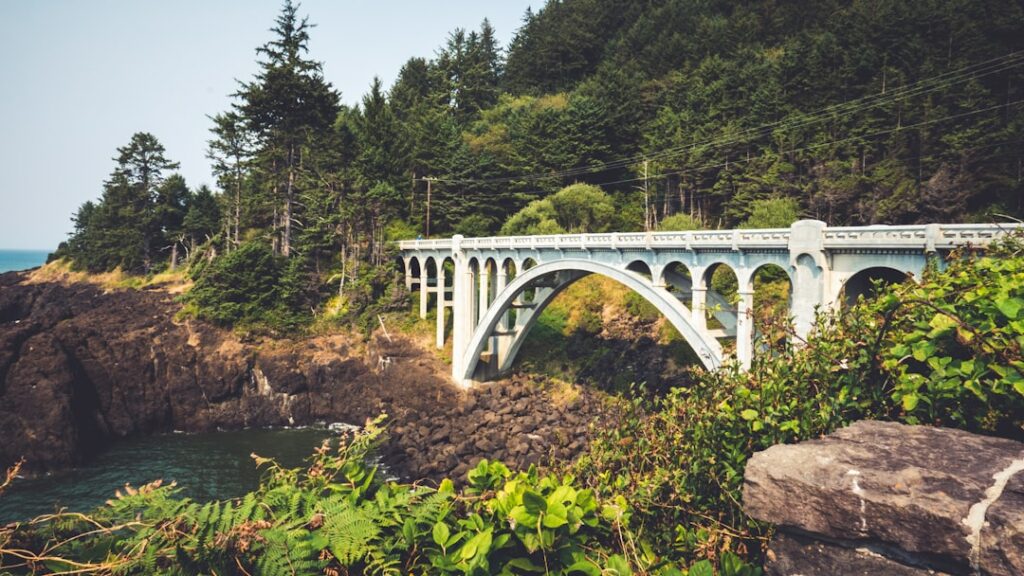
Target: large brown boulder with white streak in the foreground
922 498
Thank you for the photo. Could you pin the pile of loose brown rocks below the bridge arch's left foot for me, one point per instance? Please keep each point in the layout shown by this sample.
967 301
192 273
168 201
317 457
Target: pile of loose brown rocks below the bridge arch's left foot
516 422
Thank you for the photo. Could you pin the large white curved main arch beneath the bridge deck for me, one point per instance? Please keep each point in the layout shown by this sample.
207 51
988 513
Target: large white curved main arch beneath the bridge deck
496 340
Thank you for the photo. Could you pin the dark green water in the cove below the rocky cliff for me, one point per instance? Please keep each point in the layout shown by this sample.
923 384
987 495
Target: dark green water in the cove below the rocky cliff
215 466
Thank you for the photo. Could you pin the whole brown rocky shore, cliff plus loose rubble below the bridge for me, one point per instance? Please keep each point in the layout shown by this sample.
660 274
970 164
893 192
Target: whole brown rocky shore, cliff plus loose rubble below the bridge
81 367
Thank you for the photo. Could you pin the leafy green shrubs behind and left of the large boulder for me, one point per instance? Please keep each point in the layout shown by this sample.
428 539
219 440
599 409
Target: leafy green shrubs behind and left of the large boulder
945 352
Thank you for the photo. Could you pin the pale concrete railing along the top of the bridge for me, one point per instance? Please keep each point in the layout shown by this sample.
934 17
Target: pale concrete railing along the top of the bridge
927 237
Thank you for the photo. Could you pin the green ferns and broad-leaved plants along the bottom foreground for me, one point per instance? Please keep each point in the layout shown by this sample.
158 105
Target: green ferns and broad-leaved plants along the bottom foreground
337 517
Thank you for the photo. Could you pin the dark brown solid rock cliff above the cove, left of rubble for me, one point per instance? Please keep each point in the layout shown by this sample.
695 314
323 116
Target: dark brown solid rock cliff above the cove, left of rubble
80 367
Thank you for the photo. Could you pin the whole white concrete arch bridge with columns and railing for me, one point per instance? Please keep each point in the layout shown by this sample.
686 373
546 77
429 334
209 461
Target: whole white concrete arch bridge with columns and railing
496 289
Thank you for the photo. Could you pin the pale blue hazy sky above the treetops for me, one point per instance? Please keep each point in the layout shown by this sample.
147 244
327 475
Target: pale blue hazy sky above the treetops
79 78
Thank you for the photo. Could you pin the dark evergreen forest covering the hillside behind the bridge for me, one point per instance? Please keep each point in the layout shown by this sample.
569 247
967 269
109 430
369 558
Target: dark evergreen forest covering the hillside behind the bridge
855 113
